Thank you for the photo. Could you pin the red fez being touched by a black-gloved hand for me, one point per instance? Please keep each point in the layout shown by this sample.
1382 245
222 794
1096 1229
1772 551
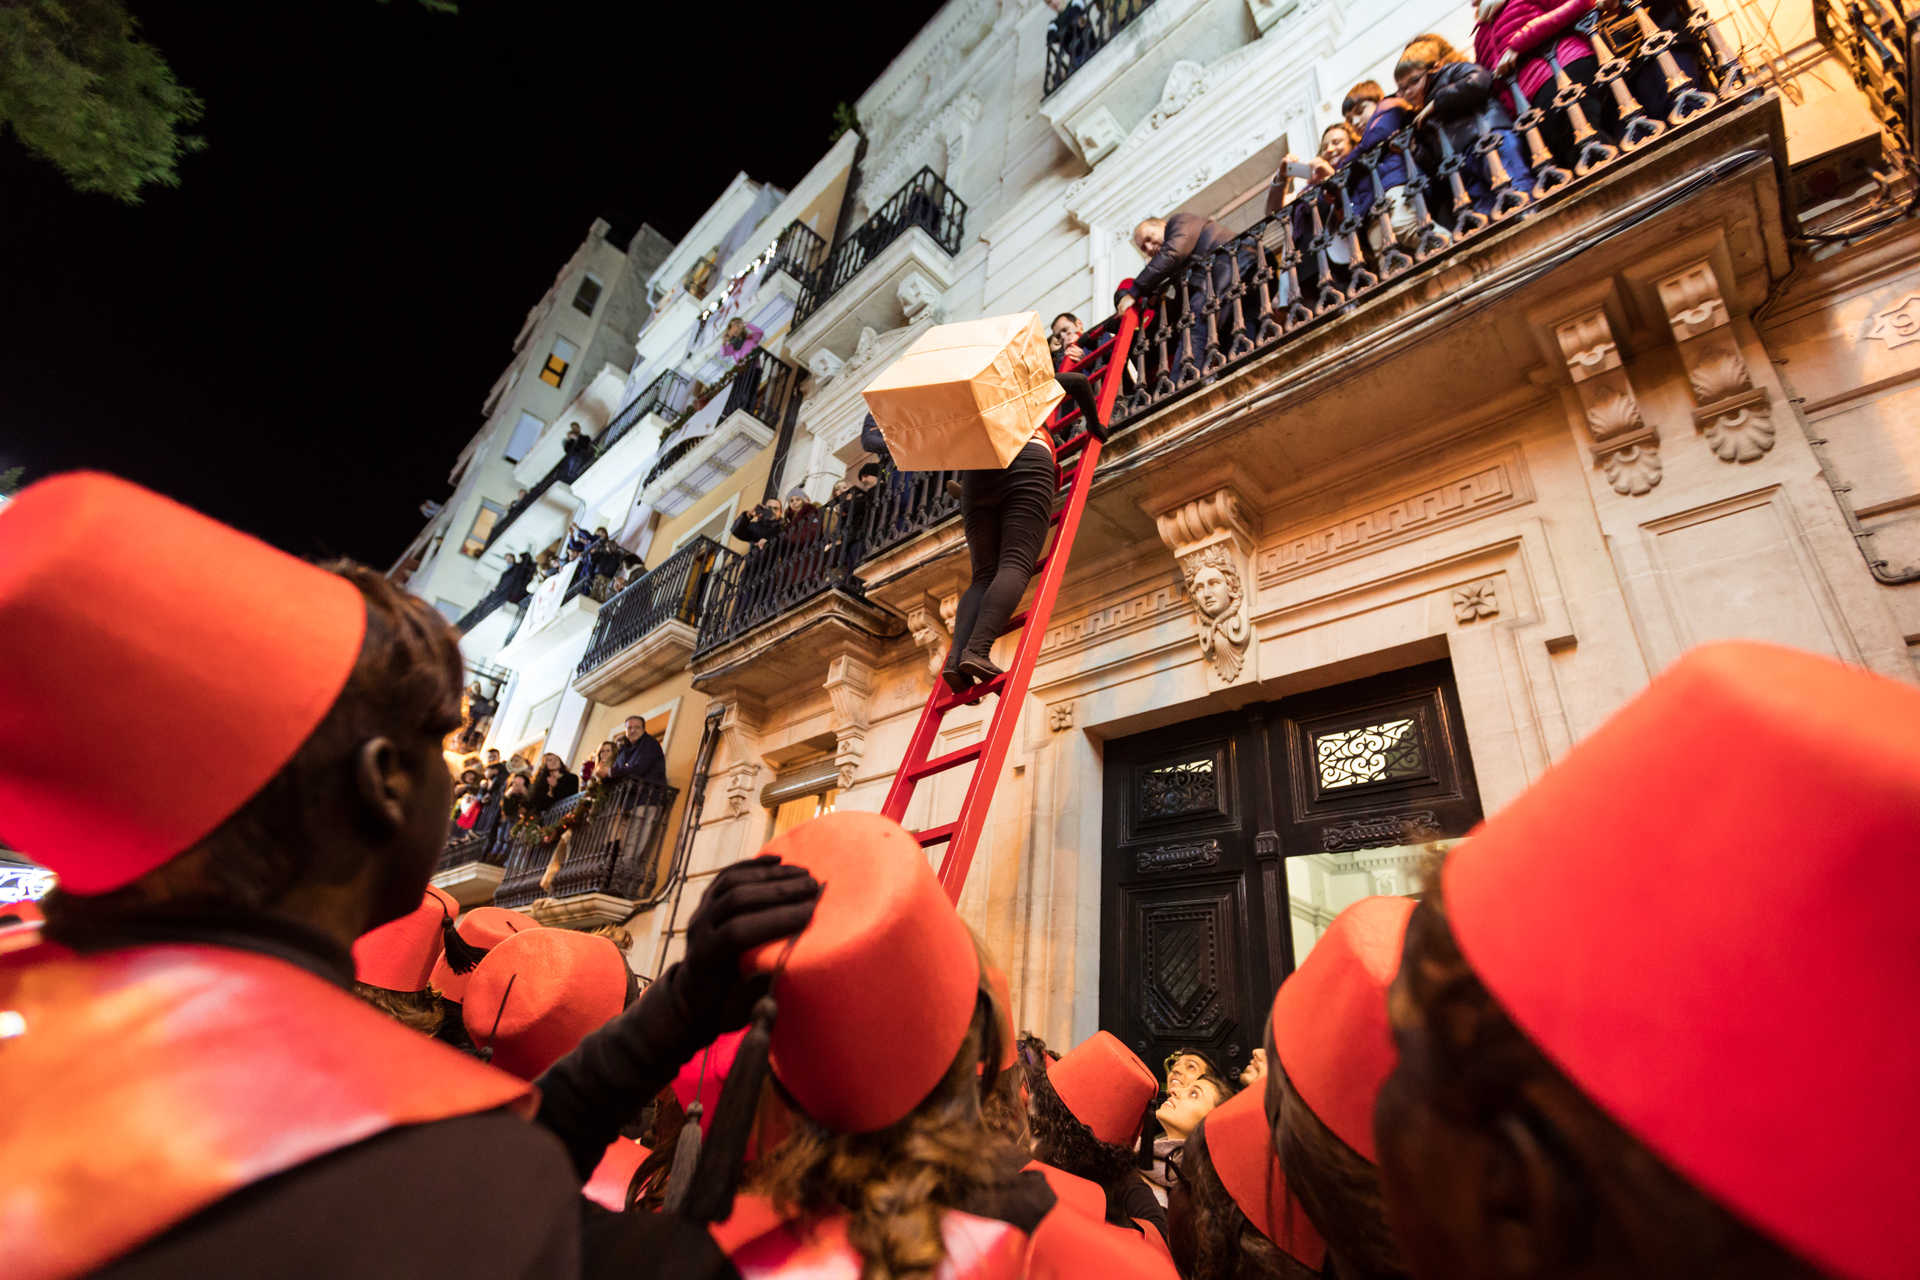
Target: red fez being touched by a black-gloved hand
878 991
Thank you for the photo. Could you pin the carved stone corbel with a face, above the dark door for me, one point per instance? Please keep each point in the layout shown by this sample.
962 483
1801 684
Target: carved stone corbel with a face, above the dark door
1214 548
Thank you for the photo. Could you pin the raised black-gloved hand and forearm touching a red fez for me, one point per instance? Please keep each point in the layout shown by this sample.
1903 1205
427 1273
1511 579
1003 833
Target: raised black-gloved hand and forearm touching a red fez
587 1097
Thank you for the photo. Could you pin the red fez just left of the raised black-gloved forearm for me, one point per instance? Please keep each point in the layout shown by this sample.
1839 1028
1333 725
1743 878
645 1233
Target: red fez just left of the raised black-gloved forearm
540 993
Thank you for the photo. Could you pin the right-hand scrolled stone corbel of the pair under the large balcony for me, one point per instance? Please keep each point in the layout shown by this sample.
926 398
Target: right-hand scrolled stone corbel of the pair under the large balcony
1729 410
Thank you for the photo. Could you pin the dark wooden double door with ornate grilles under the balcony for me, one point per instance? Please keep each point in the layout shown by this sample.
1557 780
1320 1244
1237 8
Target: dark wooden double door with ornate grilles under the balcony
1232 841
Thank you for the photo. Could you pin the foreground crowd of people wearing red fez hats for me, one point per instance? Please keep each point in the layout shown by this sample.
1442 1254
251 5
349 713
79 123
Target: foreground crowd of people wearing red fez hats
1644 1022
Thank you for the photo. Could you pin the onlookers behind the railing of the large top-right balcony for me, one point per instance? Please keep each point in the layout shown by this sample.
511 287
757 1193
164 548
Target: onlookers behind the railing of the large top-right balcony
1462 139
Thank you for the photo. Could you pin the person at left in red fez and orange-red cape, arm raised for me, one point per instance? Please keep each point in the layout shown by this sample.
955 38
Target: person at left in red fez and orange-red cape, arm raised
208 1097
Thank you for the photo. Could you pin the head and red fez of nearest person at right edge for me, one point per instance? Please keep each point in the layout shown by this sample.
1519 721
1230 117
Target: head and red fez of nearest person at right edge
1656 1016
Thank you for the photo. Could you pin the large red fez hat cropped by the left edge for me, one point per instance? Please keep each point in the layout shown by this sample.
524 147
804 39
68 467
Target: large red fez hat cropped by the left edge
128 615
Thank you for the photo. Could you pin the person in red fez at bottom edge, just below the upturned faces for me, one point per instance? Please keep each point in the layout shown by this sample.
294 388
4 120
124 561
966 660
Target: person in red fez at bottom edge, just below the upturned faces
1230 1214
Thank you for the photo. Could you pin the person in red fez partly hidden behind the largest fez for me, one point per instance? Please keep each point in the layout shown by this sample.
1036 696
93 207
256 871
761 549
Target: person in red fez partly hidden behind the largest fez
1328 1056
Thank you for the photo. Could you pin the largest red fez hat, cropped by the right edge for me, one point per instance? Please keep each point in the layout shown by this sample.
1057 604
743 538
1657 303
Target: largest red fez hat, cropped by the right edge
1691 918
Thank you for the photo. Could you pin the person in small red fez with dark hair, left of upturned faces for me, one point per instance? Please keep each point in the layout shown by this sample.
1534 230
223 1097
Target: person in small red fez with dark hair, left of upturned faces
1088 1114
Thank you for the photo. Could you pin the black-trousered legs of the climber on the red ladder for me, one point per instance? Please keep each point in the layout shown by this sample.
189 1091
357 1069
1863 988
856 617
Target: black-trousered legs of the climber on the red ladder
1007 517
